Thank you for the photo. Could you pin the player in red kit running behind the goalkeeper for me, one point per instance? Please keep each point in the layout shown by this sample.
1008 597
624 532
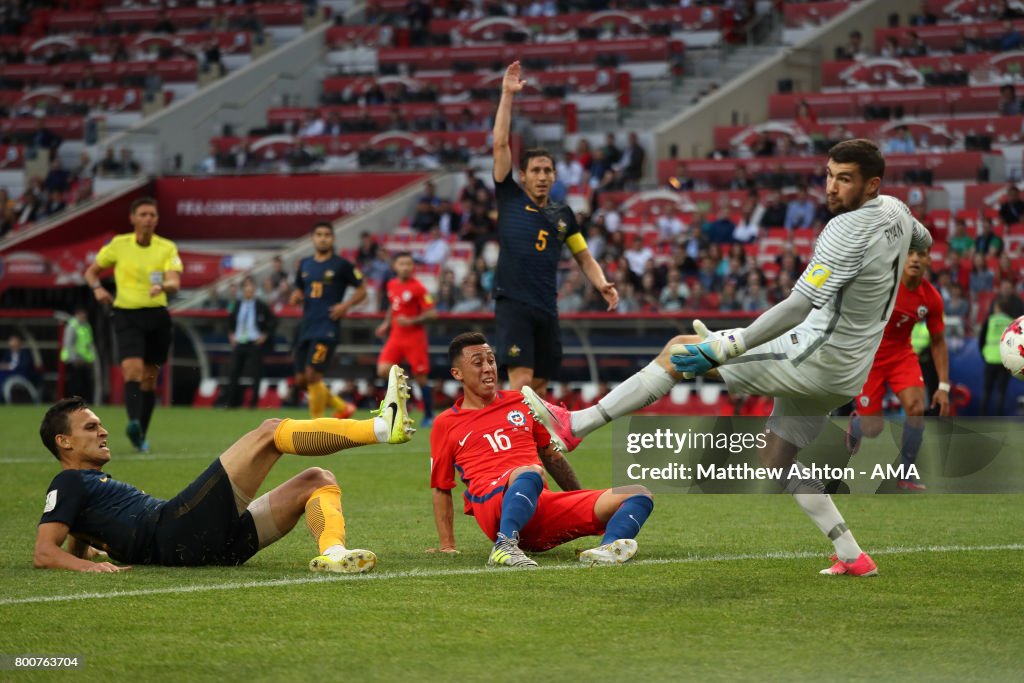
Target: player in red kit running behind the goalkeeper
897 366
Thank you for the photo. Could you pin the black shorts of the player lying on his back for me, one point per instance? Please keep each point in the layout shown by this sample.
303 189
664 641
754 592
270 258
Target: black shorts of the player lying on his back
202 525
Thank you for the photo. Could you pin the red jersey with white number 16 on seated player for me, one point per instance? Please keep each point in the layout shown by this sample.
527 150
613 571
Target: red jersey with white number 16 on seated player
484 446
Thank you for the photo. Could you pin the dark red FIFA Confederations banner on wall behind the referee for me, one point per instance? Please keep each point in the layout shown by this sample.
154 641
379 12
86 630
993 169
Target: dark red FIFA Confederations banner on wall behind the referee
254 207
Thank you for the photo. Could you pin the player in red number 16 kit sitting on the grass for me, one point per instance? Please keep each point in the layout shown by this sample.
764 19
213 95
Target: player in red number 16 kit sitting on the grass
495 446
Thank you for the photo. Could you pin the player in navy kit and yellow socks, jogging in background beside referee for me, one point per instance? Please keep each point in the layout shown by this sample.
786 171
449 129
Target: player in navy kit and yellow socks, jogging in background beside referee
321 284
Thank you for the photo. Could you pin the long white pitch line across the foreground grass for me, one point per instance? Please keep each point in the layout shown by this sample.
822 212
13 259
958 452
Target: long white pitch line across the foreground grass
429 574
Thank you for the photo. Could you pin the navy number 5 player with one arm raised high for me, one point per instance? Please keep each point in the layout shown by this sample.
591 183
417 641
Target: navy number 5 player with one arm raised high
532 232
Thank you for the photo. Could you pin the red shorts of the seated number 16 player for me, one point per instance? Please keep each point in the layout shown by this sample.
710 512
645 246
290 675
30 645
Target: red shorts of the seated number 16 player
561 518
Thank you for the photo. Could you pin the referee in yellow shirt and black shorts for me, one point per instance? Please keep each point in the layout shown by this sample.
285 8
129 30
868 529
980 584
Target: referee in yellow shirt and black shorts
147 269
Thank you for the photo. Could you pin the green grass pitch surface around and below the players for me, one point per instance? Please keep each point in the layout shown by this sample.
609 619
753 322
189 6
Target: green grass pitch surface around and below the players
726 588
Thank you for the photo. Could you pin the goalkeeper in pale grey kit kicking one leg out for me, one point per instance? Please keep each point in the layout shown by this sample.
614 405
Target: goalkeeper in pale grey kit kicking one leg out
812 353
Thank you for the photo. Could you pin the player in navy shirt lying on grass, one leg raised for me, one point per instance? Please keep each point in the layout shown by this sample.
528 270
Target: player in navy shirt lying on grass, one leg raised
216 520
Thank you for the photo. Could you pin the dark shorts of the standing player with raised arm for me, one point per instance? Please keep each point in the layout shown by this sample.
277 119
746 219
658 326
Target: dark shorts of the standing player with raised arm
528 337
